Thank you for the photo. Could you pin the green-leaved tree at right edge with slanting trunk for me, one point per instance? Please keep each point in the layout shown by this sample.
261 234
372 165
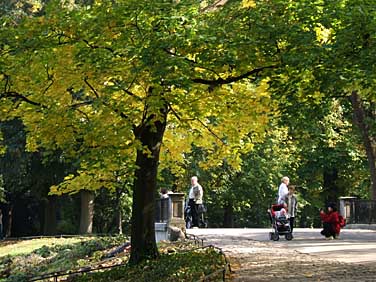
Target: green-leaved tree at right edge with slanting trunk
338 64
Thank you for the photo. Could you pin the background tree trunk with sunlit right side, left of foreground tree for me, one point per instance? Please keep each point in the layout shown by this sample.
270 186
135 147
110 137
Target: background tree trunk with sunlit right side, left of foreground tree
87 212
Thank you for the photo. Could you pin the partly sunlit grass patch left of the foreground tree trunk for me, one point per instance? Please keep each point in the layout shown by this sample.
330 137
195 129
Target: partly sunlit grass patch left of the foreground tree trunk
36 257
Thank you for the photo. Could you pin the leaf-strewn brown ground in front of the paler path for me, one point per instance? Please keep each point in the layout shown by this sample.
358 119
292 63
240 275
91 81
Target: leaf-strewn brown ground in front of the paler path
269 263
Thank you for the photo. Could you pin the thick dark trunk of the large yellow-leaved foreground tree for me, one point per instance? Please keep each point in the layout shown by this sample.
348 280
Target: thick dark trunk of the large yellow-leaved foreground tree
150 134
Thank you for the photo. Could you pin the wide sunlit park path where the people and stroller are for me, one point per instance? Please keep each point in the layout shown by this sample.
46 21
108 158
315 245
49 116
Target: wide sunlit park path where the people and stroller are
308 257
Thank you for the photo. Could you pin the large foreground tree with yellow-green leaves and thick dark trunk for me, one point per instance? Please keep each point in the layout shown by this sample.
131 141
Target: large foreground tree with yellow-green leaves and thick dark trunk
114 82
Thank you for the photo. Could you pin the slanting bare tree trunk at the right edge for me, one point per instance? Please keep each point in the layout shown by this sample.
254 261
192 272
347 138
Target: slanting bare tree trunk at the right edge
360 118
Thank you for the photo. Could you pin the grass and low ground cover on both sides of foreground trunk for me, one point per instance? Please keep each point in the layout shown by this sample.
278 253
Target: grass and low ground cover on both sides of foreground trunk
178 261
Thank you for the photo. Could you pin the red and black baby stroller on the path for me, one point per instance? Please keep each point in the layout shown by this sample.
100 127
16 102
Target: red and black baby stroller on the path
280 223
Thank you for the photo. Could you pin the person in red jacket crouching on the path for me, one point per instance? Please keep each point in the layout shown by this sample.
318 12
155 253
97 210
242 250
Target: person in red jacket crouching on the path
331 222
